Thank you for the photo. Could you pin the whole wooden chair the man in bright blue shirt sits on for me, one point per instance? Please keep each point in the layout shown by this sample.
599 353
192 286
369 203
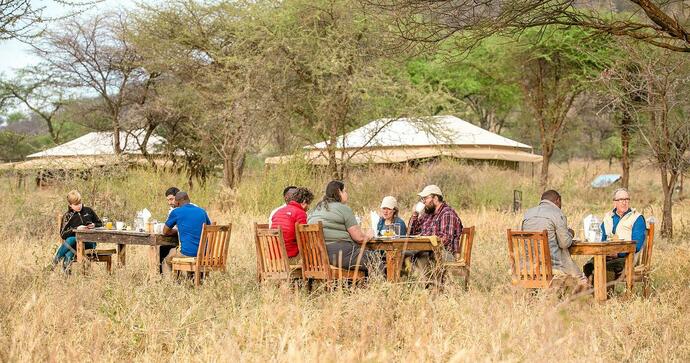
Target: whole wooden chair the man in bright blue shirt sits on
212 253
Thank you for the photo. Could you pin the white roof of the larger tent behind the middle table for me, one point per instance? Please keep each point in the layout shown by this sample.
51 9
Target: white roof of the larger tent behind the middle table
447 130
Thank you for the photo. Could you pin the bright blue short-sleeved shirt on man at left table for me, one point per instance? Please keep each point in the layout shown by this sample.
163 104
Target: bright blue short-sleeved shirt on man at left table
189 220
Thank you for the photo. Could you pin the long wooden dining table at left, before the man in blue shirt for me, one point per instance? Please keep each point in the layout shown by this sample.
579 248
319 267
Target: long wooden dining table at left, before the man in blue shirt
123 238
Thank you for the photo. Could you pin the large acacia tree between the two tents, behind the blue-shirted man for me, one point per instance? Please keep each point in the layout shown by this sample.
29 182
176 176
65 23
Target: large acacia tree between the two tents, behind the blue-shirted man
210 53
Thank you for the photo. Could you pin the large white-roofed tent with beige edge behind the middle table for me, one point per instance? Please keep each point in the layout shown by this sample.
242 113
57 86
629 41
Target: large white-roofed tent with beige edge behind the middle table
387 141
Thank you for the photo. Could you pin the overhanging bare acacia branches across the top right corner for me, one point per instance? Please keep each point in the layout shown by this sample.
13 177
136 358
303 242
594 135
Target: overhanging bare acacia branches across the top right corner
659 23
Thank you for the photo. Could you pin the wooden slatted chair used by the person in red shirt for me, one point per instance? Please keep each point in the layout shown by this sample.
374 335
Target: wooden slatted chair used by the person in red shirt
271 255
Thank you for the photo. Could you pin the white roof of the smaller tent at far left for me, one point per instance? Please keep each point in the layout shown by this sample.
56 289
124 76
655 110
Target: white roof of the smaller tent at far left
101 143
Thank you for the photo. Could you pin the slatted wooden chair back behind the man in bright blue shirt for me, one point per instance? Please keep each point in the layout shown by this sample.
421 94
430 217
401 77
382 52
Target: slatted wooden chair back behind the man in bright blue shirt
213 247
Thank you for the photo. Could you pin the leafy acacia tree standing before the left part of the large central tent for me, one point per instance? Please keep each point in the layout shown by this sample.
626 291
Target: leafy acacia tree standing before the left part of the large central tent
332 74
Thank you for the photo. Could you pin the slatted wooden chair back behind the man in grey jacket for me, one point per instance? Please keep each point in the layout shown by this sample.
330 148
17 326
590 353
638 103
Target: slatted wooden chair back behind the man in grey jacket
530 259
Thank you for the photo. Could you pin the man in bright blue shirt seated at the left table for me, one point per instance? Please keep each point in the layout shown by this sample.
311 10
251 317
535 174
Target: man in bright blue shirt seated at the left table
189 220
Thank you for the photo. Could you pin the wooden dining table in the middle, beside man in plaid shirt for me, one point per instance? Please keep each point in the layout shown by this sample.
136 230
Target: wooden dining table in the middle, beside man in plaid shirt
394 248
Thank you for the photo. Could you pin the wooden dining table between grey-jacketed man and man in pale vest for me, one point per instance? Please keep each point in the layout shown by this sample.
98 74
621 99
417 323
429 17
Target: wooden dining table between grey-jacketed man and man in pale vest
600 250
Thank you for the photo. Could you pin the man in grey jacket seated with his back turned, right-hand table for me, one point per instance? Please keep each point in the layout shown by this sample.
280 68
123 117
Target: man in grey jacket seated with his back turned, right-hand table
548 216
